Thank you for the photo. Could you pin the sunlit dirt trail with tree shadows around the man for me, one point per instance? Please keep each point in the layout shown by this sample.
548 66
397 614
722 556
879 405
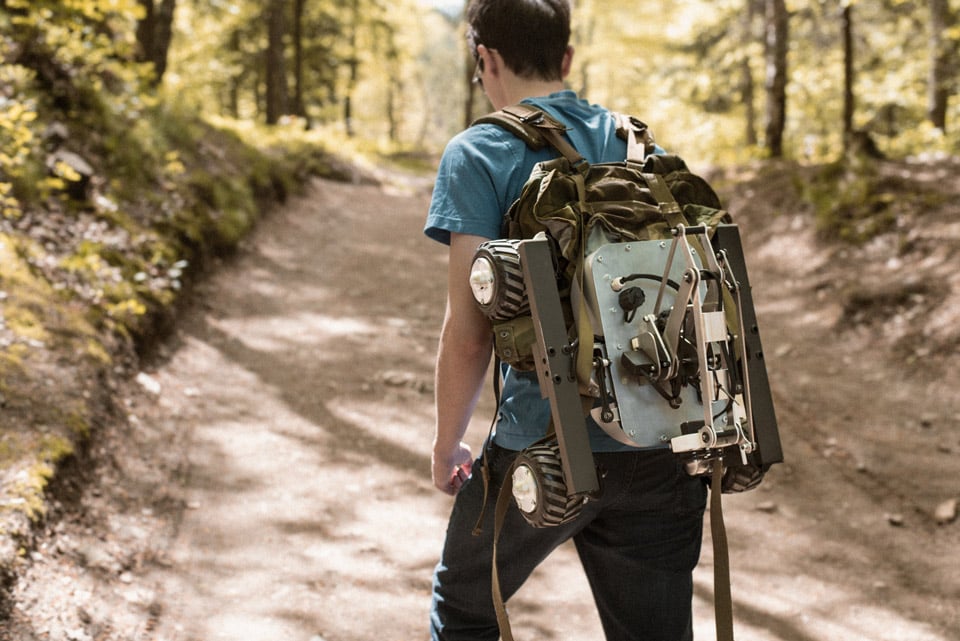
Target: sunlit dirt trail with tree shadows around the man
277 486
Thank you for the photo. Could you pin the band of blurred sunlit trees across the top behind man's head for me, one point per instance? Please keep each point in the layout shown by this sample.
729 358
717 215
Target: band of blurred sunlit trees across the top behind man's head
729 79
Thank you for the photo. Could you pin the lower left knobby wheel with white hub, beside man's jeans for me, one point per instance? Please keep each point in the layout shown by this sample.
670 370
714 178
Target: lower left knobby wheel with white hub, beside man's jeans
539 489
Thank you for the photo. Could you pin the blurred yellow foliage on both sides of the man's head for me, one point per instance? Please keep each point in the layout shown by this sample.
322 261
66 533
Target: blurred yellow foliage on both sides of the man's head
695 73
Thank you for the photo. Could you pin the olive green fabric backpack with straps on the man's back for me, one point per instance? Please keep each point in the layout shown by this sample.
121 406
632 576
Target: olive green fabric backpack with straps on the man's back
582 206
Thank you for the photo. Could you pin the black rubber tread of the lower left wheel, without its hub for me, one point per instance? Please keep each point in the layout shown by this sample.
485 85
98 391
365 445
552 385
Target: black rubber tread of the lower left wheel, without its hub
554 507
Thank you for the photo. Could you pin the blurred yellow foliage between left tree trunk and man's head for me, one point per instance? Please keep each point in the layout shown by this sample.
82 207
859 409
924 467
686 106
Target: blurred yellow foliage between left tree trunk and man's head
396 63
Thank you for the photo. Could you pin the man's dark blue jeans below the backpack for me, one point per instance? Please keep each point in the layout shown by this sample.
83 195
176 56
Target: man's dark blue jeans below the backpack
638 542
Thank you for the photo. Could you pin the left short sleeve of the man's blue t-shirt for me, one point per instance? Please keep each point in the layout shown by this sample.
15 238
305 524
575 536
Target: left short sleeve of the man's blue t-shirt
472 190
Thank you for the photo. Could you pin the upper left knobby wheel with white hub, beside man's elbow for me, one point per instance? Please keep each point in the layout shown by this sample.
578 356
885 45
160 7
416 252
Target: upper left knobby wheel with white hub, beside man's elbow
496 279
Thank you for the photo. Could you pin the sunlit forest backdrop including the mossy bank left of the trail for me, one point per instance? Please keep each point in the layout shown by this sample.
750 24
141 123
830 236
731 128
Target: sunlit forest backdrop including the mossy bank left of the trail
142 139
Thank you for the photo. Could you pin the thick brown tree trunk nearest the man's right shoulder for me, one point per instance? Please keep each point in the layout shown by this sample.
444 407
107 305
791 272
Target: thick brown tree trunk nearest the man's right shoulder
777 33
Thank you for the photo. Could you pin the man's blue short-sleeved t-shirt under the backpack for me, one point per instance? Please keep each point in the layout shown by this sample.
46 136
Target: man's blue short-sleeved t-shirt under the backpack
482 172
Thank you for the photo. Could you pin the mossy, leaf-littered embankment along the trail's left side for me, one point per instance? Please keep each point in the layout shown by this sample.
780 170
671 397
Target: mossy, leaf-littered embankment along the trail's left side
103 229
